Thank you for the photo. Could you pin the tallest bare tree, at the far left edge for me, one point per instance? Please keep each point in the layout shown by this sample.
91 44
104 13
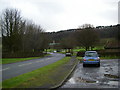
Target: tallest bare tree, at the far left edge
11 30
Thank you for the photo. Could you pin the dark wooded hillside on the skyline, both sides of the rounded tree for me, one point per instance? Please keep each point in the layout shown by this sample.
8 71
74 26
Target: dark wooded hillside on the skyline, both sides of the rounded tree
112 31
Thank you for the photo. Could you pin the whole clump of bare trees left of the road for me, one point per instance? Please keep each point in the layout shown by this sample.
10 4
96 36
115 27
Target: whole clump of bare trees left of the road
21 36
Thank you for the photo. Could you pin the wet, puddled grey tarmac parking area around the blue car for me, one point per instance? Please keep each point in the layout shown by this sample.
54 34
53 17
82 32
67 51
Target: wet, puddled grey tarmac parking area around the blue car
105 76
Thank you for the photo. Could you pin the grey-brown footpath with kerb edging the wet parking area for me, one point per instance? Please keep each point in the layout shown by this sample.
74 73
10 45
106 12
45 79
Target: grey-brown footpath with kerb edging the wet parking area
67 70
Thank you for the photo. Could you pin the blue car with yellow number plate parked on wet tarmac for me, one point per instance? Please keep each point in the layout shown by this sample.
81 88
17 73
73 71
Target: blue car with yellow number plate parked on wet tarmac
91 57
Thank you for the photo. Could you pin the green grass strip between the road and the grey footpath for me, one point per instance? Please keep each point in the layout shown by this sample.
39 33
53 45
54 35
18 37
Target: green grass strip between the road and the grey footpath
35 78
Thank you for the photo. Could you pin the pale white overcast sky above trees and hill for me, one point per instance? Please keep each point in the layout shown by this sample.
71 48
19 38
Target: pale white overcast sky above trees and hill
55 15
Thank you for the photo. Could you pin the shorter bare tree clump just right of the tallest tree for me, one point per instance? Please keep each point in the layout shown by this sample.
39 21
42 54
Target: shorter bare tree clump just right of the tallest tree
35 39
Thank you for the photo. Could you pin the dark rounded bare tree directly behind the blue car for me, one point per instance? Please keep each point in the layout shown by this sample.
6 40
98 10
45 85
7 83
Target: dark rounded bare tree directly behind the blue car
87 38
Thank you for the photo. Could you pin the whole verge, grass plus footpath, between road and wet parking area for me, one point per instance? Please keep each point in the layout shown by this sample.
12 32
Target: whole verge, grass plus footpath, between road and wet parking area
45 77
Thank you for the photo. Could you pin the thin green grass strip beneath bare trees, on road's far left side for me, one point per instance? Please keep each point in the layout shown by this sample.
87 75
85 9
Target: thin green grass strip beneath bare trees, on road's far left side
13 60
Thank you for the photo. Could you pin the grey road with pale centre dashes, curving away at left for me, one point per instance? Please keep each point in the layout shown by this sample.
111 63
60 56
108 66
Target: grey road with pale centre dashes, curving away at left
15 69
